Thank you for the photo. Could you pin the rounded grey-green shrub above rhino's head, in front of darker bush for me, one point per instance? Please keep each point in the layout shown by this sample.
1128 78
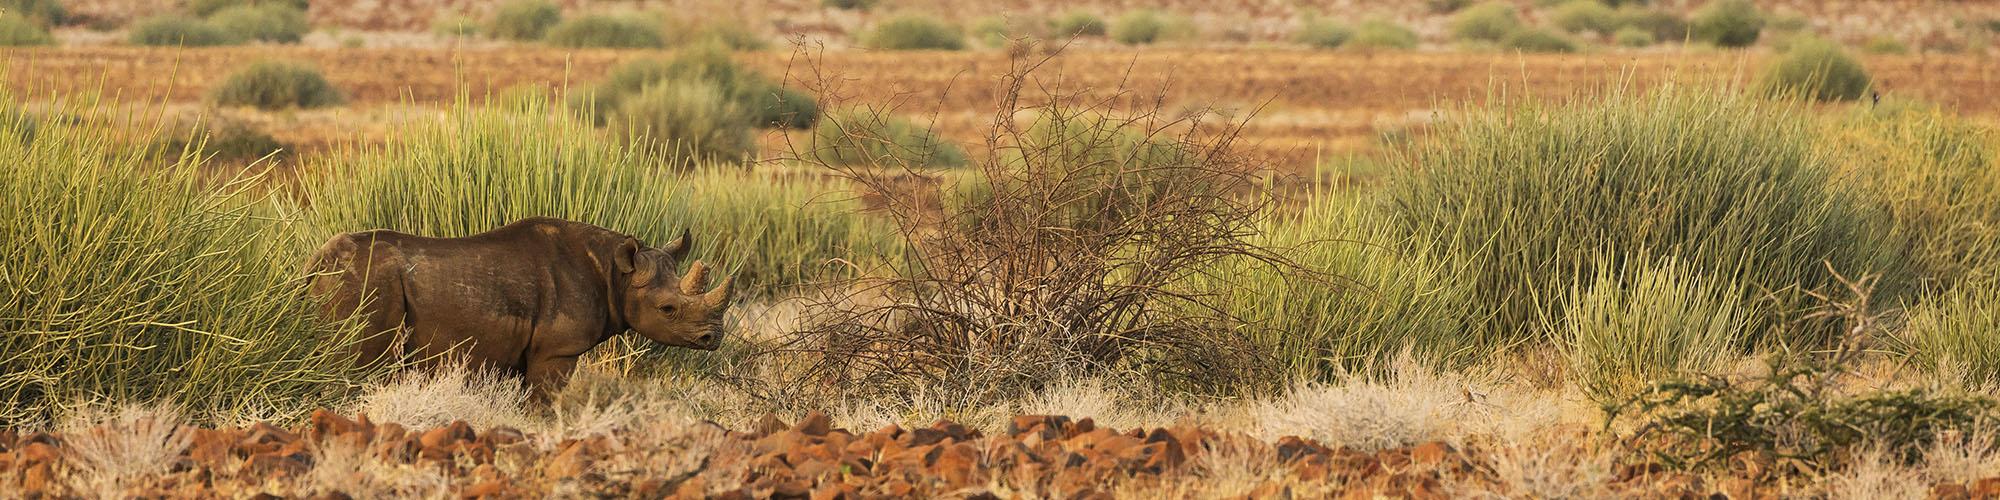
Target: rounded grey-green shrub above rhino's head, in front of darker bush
687 119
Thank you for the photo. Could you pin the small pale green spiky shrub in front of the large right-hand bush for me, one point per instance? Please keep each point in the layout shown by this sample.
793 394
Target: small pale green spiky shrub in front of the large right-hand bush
1627 331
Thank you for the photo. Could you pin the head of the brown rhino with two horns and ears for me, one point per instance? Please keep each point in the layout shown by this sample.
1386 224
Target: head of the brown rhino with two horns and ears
677 311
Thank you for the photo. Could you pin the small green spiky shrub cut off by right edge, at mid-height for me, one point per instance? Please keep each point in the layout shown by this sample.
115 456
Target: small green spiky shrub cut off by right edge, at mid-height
1951 333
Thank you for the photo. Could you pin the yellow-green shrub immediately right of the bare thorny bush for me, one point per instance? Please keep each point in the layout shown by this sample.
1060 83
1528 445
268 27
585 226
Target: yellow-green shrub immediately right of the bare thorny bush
1389 301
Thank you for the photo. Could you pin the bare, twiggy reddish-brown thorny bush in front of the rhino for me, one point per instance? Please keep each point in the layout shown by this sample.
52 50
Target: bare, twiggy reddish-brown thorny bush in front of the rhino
1065 251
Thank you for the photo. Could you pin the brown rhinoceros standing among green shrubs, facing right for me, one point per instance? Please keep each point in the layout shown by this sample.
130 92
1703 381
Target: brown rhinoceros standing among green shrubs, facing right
525 299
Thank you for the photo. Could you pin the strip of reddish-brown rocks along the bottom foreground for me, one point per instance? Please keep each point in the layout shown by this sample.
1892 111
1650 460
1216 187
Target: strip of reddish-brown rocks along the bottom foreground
1035 457
